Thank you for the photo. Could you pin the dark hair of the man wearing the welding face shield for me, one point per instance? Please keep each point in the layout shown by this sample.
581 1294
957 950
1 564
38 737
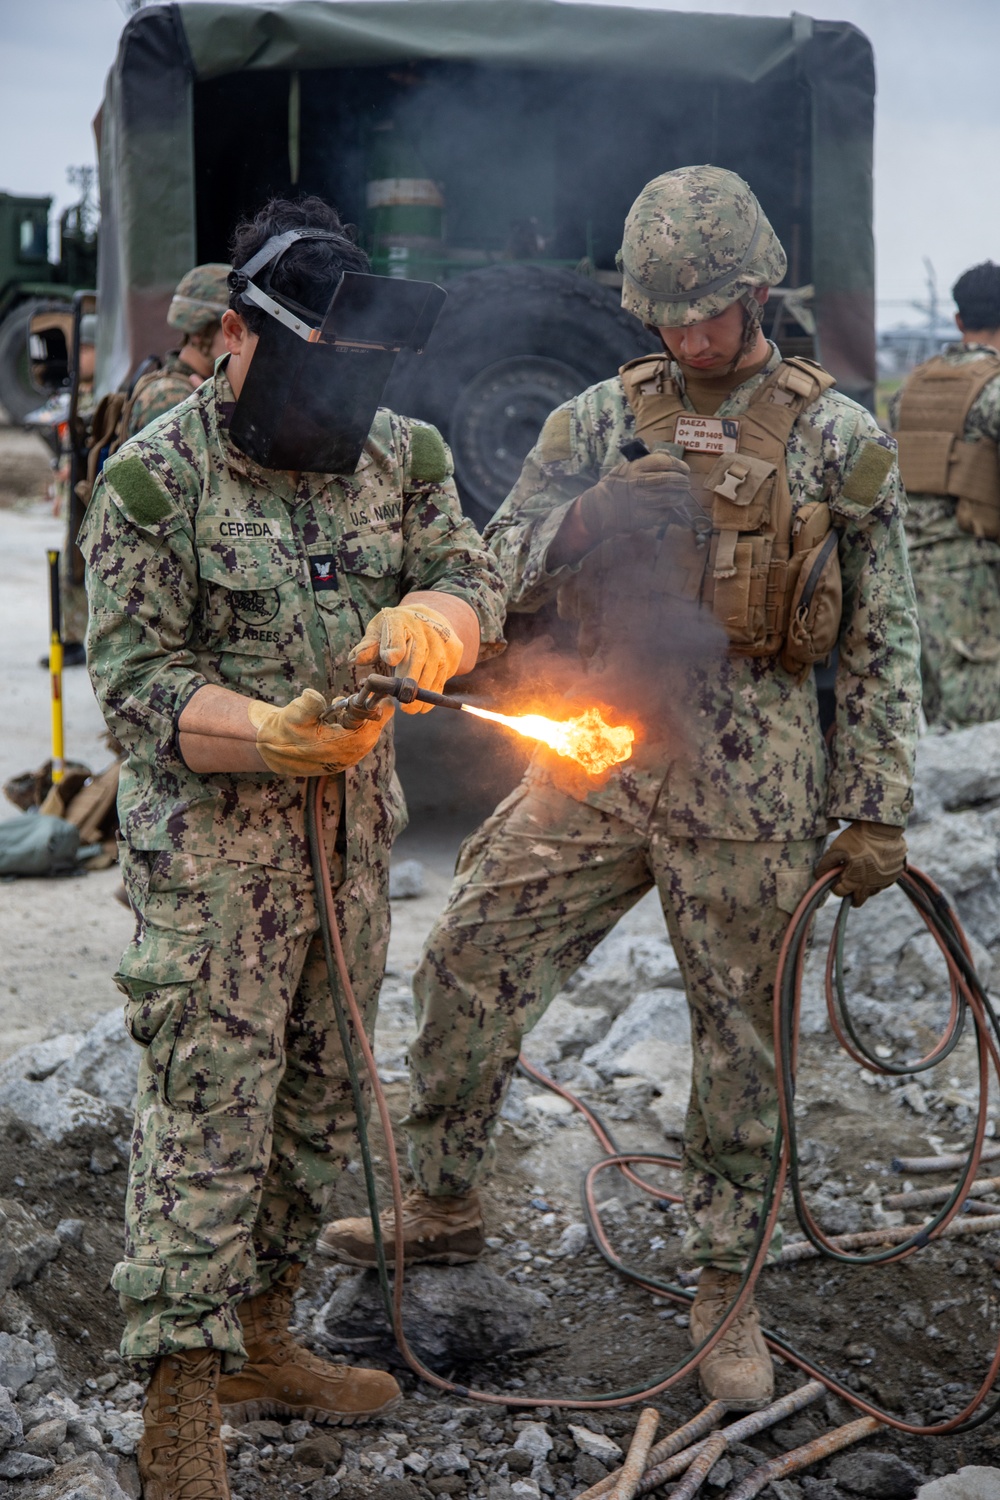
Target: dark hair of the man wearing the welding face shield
310 272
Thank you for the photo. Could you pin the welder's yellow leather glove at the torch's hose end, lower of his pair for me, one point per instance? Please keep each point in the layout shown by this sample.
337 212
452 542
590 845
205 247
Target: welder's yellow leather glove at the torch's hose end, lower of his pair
293 742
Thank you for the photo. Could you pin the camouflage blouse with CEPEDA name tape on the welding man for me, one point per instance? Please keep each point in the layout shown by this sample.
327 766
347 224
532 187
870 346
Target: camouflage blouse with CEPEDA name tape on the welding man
205 568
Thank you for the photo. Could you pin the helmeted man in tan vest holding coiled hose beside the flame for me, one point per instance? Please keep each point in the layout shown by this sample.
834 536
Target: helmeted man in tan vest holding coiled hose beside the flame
729 826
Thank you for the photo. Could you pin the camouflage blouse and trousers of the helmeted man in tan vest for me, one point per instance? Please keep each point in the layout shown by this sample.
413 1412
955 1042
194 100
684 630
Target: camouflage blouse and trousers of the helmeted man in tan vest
729 832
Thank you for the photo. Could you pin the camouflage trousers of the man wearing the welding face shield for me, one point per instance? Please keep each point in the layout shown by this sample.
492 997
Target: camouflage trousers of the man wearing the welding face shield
245 1115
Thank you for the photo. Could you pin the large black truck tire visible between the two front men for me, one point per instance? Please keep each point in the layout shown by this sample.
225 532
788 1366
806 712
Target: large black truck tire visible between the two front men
512 344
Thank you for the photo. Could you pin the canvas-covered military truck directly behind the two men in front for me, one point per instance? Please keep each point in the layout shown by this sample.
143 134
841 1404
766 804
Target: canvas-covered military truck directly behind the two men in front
496 149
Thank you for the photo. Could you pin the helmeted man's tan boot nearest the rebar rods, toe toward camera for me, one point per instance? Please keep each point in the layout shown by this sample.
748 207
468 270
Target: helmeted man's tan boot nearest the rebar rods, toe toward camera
737 1370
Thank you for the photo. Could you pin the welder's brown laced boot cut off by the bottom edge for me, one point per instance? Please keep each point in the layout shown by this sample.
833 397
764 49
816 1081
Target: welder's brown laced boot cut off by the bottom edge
181 1453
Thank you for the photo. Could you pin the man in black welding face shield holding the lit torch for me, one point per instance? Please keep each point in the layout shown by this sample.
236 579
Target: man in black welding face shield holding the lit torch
247 563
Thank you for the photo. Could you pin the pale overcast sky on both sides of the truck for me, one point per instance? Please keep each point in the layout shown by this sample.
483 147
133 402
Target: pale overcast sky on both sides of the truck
938 121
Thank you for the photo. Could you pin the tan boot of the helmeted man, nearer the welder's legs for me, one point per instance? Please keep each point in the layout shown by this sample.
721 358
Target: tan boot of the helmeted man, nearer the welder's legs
446 1231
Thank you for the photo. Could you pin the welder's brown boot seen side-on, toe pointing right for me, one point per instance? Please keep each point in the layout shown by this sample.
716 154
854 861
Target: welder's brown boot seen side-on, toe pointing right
284 1379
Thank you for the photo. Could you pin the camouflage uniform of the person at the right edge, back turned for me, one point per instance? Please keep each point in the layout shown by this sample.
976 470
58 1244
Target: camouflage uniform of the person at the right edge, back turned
957 580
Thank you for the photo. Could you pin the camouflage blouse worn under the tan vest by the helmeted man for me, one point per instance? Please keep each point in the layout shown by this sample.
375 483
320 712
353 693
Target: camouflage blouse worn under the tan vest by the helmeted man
758 767
